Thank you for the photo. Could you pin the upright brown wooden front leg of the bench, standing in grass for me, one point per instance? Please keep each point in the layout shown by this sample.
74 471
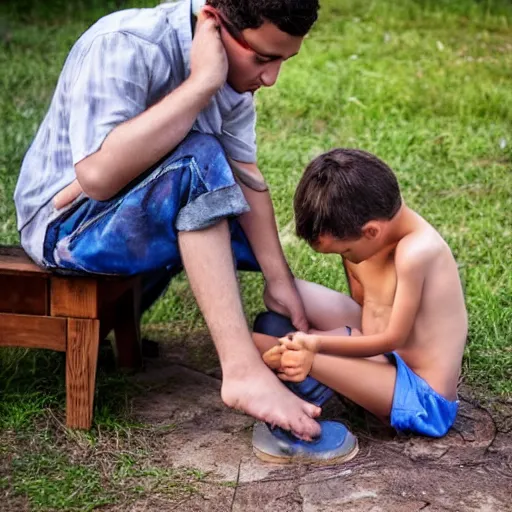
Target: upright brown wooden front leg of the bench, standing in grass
83 337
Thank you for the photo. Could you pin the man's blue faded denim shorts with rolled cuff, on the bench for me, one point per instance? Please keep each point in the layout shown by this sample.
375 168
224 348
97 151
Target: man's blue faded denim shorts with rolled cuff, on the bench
136 232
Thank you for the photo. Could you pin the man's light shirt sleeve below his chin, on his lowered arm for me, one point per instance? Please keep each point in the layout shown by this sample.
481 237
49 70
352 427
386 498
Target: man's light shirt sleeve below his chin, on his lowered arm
238 135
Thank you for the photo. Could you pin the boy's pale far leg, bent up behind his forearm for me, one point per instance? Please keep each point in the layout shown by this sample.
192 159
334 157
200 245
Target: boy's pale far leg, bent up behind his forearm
327 309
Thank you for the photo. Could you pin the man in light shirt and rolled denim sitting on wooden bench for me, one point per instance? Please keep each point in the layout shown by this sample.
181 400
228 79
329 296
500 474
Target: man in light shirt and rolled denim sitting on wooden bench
146 156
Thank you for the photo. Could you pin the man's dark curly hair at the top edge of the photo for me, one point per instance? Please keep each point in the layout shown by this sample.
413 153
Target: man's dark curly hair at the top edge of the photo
295 17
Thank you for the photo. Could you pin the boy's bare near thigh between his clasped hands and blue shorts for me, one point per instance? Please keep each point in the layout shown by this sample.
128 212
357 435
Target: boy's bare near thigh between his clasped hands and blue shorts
371 384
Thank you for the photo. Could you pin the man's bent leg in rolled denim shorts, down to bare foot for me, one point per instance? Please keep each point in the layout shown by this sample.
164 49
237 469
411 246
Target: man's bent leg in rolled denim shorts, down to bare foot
188 198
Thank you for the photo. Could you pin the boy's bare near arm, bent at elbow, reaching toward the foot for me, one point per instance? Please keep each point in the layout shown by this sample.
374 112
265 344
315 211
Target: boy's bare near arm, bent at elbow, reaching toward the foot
411 266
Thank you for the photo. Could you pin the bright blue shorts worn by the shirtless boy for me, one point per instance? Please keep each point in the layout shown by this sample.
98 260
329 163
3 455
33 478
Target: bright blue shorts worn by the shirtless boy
417 407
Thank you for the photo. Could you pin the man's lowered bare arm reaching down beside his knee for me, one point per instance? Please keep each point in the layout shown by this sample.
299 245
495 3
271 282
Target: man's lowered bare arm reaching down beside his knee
260 227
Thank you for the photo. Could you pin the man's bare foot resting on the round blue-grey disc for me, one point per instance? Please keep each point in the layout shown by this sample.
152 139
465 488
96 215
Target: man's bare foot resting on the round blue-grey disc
259 393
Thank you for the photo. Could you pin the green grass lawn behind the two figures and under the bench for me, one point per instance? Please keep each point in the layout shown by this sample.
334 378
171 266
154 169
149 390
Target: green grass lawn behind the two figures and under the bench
425 85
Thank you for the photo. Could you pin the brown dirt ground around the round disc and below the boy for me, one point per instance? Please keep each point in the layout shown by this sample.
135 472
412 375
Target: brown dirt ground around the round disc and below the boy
468 470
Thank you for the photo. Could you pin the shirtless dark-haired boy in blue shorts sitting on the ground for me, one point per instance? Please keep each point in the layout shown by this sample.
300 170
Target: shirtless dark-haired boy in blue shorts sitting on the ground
396 346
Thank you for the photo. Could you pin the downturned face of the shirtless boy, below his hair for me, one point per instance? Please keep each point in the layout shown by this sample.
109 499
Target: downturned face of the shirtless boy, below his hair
355 250
